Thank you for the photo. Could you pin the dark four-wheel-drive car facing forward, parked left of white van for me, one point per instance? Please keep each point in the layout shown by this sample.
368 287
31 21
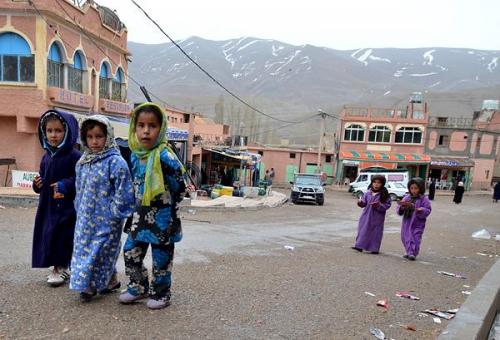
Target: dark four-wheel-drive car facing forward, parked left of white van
308 188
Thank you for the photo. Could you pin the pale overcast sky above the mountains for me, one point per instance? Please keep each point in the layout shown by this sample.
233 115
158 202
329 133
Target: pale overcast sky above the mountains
348 24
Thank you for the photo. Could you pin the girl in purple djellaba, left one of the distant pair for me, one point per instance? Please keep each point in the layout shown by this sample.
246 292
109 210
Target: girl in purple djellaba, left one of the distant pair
375 202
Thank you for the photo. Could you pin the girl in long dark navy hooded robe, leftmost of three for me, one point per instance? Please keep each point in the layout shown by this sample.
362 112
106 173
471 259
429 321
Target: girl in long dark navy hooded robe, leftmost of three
55 217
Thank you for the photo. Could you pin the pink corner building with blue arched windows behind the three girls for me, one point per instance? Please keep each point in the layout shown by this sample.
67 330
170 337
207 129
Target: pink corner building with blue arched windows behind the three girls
60 54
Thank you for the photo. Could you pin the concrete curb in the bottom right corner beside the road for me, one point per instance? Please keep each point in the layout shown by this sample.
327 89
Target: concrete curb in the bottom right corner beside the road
477 314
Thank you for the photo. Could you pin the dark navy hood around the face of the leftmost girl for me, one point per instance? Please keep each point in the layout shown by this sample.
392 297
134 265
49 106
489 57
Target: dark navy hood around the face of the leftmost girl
71 131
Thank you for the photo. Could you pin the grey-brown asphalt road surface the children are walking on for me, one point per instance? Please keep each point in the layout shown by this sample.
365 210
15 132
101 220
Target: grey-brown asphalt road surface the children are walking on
234 278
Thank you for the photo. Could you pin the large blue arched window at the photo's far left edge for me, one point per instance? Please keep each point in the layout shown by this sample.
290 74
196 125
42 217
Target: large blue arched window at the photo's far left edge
17 63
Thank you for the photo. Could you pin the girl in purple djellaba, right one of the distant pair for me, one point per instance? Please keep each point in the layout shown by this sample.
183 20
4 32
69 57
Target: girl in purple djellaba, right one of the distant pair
415 207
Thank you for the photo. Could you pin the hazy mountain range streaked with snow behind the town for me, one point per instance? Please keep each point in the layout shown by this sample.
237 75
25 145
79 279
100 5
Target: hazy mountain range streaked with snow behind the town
290 81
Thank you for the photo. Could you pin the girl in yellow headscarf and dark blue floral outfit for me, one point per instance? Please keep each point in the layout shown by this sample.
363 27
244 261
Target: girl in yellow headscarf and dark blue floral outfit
159 186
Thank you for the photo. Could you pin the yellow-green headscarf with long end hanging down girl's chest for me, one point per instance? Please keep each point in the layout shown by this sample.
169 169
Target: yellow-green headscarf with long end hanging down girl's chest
153 181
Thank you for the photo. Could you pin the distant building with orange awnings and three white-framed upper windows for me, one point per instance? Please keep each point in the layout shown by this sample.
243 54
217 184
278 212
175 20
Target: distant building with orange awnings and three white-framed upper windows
388 138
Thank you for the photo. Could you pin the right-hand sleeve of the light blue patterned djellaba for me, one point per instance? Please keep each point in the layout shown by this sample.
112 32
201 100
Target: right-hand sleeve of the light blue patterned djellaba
122 204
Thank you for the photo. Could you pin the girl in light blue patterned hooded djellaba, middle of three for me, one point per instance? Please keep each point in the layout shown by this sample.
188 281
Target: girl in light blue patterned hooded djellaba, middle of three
104 198
